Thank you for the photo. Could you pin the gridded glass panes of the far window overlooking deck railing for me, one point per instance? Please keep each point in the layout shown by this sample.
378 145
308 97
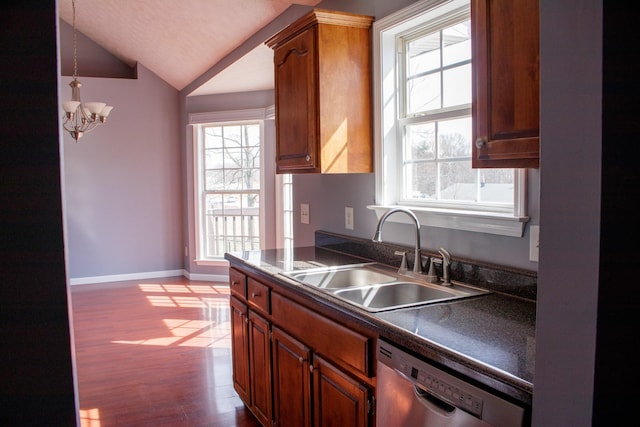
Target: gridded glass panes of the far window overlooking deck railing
230 188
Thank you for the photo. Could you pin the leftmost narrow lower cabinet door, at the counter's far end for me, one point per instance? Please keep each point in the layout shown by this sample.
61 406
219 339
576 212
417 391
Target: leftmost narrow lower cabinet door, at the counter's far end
240 349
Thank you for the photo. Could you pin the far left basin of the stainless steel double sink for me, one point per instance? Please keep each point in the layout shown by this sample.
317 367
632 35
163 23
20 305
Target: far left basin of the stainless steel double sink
343 277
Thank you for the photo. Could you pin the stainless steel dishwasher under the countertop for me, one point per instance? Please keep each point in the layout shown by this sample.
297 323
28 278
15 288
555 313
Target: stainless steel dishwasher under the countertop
412 392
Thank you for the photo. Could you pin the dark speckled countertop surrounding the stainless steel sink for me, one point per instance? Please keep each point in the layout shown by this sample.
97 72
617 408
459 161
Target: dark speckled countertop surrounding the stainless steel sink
490 339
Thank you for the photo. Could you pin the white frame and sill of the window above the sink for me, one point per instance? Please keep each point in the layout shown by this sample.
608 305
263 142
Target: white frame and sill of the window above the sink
386 137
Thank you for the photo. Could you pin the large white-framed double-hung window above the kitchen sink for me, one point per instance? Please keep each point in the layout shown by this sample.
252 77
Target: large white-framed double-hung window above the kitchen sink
424 125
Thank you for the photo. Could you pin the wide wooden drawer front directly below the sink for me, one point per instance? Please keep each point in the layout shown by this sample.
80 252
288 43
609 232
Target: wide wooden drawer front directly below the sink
326 337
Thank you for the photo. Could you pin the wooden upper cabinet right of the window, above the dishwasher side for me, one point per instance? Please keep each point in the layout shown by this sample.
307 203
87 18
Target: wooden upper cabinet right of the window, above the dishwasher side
506 98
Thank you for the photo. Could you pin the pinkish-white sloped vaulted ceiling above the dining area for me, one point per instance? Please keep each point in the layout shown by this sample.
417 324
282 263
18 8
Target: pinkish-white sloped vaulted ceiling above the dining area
180 40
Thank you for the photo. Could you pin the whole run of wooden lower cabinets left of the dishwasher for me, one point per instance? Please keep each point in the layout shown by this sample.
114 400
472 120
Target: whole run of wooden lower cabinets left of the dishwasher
293 366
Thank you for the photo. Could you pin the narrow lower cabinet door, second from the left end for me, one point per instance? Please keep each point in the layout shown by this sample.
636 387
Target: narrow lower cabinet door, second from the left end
260 368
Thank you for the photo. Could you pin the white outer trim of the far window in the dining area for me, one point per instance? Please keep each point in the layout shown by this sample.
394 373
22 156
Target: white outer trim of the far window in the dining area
222 118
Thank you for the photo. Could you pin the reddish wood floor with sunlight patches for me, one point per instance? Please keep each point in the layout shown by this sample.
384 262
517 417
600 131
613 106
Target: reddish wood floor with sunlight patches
155 353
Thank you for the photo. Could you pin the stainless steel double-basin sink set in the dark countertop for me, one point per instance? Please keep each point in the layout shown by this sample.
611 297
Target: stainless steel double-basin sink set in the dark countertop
375 287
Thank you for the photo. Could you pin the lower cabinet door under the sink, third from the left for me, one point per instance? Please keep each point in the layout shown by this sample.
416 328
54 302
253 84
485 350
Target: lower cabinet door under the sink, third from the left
291 380
